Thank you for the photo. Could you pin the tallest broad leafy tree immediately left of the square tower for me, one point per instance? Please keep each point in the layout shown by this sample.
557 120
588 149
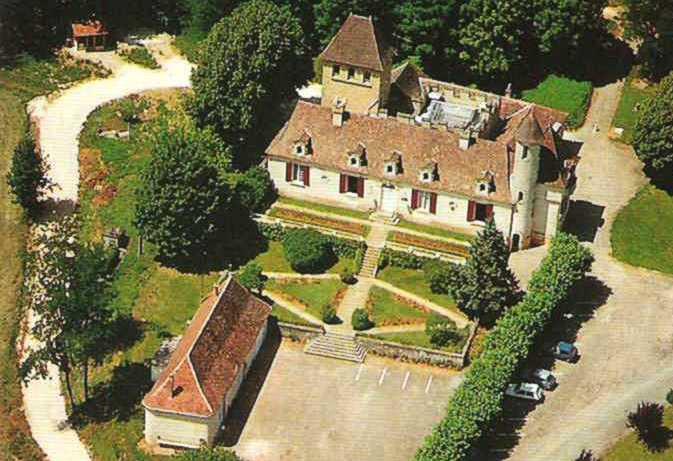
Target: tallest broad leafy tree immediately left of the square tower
251 61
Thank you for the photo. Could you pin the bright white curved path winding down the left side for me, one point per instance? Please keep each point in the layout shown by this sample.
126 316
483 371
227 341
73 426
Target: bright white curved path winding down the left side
60 122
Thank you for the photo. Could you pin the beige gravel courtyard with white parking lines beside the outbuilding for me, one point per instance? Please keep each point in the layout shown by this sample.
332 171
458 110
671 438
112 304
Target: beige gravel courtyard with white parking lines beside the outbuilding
313 408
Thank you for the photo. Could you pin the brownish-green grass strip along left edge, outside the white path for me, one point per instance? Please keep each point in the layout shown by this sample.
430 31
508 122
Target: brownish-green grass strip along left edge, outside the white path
29 78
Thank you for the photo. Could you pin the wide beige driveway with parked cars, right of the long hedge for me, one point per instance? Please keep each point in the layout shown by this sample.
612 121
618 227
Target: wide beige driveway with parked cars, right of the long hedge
627 344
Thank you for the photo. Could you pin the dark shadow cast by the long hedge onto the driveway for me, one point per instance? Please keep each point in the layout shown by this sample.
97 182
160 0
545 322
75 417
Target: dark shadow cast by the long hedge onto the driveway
587 296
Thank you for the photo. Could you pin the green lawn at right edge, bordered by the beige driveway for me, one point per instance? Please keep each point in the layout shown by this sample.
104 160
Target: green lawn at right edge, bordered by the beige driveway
641 234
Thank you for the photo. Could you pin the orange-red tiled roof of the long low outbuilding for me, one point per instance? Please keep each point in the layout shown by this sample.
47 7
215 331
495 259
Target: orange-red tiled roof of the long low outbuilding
211 353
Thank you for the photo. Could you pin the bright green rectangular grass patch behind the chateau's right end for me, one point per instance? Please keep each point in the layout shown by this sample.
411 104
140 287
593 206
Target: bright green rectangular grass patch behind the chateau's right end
563 94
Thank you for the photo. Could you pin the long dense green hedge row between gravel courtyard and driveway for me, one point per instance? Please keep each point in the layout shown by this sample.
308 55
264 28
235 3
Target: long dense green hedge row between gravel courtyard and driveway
477 403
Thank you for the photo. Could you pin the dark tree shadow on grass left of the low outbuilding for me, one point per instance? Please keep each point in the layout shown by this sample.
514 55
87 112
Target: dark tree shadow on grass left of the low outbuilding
117 398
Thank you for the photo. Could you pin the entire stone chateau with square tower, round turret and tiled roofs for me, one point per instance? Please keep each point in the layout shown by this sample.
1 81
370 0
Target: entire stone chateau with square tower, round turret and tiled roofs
401 145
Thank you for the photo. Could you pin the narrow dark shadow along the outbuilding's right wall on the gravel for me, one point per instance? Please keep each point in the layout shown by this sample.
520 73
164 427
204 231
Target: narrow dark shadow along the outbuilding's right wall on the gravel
252 385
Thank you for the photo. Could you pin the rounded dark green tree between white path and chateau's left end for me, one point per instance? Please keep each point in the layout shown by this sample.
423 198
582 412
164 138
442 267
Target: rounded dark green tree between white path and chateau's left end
184 200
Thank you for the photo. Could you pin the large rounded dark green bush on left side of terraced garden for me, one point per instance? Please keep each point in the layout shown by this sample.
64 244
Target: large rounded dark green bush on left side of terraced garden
307 251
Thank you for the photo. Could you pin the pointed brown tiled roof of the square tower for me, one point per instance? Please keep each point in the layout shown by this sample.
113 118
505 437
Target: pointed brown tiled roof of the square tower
359 44
